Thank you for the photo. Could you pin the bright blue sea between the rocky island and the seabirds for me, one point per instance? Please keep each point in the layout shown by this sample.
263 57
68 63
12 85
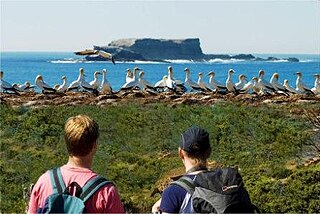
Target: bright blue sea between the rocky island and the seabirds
19 67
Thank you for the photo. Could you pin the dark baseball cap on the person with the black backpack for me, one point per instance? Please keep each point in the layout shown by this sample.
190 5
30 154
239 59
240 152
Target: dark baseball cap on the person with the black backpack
195 140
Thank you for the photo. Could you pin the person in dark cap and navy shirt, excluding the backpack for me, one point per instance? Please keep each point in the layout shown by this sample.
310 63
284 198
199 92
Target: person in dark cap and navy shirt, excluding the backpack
194 151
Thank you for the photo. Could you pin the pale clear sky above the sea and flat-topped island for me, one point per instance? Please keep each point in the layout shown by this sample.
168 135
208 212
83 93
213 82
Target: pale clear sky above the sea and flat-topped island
222 26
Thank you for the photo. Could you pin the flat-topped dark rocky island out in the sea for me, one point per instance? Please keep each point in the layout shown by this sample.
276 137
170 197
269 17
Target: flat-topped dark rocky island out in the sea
163 50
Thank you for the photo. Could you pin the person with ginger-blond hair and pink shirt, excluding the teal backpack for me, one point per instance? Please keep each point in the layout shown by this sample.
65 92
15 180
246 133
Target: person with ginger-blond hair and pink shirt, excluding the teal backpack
81 137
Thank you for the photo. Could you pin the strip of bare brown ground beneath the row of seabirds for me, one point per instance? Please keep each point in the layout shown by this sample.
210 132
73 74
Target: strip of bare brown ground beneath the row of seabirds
82 98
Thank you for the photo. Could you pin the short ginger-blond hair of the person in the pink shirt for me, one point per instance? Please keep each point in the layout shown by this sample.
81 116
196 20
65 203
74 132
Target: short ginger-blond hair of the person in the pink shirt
80 134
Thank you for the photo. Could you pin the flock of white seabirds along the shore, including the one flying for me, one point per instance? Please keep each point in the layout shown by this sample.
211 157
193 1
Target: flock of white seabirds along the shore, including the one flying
135 80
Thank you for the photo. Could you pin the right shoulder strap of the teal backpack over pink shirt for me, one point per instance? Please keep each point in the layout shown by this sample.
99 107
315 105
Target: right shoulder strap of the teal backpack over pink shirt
92 186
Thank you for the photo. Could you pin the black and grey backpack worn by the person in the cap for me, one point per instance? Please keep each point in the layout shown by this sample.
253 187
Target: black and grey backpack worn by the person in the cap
218 191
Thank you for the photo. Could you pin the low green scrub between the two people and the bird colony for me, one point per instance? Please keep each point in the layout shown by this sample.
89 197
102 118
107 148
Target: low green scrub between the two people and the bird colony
260 140
